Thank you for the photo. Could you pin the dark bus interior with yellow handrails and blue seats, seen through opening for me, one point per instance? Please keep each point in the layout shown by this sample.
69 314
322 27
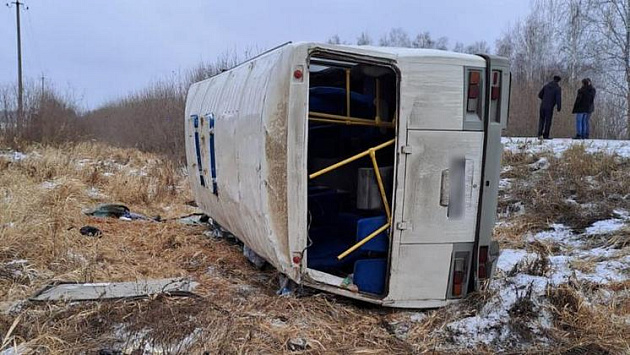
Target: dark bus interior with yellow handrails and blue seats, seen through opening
351 158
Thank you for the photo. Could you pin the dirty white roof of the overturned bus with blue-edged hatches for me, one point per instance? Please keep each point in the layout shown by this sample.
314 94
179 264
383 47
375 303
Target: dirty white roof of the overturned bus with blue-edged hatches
238 100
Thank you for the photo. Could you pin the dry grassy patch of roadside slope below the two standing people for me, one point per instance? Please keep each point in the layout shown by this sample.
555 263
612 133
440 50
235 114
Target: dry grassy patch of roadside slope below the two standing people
559 192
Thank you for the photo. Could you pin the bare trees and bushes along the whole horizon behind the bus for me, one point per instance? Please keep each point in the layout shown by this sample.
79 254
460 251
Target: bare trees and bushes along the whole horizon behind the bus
570 38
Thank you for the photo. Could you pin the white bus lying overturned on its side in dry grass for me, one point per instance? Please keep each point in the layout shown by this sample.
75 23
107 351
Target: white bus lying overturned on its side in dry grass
367 172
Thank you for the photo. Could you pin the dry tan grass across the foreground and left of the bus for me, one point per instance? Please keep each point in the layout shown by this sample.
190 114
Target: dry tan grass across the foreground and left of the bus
236 311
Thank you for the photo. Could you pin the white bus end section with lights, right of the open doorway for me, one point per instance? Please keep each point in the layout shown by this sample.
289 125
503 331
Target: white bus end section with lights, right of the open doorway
448 174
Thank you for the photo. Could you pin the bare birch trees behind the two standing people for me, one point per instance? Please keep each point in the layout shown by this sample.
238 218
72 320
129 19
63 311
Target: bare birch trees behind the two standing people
574 39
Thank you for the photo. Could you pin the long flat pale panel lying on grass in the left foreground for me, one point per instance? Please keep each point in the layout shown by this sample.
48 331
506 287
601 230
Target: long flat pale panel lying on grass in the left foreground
115 290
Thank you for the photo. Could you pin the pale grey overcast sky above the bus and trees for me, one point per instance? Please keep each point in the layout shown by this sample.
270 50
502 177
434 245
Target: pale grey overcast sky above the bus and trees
101 50
